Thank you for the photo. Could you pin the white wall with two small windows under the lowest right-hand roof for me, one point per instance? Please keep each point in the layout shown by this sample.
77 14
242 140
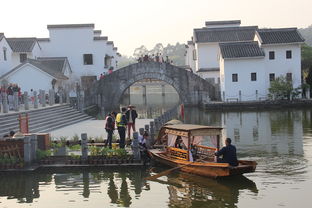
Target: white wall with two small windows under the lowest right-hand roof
243 68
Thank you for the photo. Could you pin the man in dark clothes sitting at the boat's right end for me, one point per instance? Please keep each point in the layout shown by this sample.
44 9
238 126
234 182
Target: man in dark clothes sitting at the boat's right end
228 153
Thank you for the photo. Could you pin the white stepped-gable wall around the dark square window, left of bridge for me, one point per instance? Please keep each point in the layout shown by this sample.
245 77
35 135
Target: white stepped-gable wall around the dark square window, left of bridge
73 43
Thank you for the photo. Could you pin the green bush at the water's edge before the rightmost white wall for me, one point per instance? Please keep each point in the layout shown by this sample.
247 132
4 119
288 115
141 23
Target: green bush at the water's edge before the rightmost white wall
282 89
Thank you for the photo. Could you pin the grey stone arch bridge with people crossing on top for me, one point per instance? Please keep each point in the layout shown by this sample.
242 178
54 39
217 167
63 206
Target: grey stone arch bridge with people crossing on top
107 92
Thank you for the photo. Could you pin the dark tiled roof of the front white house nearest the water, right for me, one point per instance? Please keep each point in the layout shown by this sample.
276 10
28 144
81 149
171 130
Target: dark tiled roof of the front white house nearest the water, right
241 50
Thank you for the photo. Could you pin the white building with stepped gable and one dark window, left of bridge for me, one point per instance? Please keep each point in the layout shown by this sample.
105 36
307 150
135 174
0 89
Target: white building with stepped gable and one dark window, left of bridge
88 53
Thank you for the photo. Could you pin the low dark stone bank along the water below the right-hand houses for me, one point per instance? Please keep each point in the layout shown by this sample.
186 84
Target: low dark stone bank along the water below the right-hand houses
256 105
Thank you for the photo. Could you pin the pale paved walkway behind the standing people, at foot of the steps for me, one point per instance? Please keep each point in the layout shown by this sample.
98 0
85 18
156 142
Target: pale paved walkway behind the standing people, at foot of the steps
93 128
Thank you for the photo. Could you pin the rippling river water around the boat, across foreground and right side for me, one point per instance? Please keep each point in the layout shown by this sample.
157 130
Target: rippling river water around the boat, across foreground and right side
279 141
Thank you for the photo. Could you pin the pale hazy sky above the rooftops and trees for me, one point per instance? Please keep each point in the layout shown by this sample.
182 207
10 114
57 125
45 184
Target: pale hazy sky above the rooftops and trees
132 23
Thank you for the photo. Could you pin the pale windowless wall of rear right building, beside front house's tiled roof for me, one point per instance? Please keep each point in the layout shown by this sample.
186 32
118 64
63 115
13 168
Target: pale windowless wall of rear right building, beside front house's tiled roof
207 54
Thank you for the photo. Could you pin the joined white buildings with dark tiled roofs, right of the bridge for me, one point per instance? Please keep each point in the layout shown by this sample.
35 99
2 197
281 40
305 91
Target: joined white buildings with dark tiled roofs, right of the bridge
243 60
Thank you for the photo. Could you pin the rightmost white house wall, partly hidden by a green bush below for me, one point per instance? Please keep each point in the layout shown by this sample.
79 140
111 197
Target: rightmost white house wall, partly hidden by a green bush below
280 65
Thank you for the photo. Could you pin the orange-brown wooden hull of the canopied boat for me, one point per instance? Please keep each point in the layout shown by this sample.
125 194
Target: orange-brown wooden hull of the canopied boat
206 169
